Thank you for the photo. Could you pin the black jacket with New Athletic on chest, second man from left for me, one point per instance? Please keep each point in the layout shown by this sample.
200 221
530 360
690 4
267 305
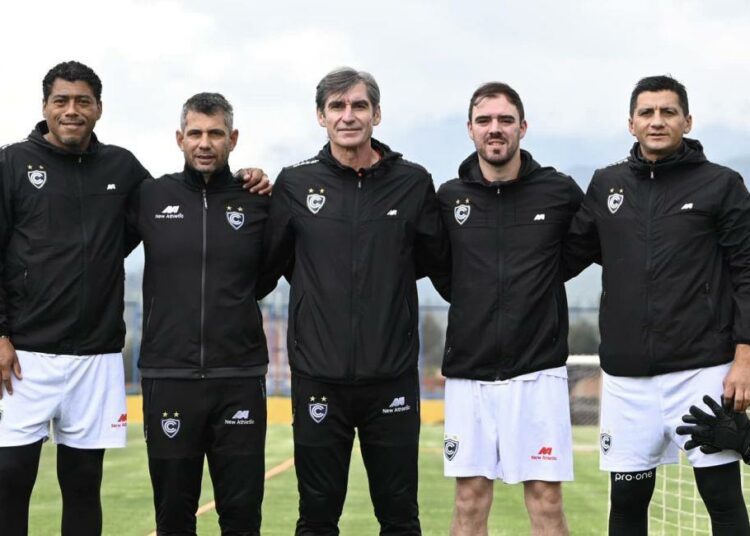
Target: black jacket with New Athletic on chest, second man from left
203 248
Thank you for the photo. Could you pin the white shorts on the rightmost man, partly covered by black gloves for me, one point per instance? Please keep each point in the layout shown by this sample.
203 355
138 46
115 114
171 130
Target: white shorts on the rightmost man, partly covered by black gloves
639 417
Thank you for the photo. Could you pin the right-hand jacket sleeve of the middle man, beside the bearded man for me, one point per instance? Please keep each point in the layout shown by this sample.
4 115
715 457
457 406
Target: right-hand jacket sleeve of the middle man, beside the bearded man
432 248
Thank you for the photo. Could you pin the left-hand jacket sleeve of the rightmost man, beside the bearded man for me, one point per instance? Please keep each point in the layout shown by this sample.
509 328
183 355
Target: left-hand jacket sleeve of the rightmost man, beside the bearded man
581 245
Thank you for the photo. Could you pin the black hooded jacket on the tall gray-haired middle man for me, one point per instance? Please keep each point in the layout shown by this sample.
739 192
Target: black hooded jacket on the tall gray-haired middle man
357 240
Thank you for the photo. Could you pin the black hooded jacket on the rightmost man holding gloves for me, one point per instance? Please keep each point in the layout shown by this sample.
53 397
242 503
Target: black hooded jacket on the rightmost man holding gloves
673 238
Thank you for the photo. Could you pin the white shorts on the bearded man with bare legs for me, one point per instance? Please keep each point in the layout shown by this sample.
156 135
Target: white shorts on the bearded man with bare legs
515 430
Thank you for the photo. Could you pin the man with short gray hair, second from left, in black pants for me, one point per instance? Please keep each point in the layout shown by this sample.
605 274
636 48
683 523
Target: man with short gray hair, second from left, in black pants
203 355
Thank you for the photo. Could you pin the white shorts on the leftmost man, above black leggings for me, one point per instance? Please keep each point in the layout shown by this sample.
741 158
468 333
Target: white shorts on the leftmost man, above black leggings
83 397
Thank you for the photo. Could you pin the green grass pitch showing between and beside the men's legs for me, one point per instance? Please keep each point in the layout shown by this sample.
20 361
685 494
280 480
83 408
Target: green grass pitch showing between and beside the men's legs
126 492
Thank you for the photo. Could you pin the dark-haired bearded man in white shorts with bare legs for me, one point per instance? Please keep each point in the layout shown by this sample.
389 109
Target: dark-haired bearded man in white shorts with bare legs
506 390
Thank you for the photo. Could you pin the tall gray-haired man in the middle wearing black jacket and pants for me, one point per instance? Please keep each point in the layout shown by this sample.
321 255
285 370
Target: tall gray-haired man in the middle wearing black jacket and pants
353 228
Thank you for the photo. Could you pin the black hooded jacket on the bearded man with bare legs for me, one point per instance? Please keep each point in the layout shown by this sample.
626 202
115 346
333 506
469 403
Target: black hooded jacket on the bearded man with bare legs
509 313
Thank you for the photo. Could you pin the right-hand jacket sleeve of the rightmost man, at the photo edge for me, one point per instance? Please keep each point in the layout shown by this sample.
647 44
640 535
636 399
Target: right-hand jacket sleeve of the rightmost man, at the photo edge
733 227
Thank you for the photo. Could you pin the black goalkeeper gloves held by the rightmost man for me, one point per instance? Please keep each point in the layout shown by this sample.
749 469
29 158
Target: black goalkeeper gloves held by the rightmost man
713 433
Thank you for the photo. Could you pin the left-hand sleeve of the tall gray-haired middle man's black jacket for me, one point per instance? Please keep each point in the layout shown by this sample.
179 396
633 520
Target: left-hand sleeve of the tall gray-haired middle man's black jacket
278 241
